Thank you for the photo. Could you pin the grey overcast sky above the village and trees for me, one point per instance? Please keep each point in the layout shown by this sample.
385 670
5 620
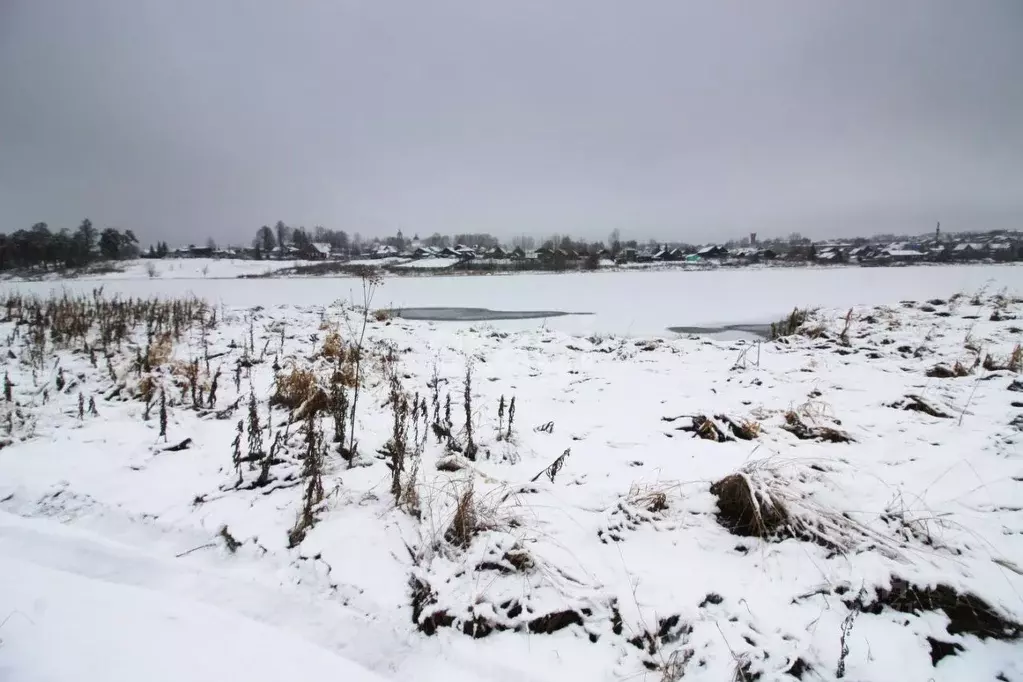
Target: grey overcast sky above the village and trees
694 121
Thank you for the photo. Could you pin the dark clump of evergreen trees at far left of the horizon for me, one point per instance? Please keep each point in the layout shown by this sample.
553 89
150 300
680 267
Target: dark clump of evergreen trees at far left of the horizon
40 247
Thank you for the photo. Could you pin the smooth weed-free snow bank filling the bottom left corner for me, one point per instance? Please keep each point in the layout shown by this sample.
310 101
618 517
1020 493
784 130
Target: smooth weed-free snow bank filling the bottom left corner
81 609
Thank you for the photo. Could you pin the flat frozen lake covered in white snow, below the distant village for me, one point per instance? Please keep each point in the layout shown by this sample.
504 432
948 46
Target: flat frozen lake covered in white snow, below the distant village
637 303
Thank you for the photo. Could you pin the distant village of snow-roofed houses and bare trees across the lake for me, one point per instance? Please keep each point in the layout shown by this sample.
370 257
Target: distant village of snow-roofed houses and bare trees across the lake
484 252
